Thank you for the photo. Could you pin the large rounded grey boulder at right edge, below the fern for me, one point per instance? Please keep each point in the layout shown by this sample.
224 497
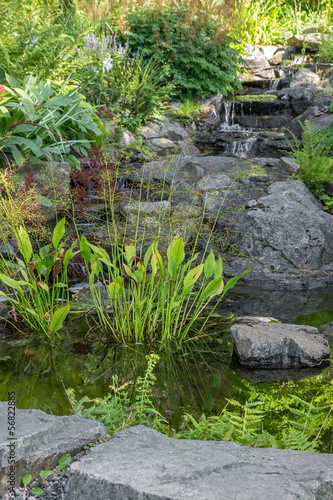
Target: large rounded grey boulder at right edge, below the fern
288 229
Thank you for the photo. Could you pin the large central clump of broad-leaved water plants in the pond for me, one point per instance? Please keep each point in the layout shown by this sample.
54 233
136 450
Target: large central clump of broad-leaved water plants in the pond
162 304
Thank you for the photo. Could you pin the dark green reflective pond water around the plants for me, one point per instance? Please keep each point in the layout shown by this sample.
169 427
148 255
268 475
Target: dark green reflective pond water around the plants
197 378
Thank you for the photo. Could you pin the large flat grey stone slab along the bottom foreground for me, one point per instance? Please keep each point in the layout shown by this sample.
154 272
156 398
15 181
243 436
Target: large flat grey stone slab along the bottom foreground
142 464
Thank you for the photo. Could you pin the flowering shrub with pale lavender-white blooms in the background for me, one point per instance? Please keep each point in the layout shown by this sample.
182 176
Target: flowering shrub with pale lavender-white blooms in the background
112 74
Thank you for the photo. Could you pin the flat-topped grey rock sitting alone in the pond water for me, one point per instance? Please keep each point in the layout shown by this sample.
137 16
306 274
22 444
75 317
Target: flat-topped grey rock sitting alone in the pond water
277 345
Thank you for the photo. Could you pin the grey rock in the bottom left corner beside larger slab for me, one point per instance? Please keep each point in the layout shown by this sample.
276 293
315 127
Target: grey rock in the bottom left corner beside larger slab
41 439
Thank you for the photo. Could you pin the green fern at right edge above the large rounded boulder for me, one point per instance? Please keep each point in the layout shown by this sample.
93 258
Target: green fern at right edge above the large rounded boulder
314 158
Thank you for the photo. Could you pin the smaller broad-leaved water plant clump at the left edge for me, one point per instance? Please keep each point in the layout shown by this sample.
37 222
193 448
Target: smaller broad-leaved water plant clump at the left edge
37 289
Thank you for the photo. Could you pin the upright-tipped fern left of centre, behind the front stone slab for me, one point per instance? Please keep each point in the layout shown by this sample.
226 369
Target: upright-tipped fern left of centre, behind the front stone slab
115 410
